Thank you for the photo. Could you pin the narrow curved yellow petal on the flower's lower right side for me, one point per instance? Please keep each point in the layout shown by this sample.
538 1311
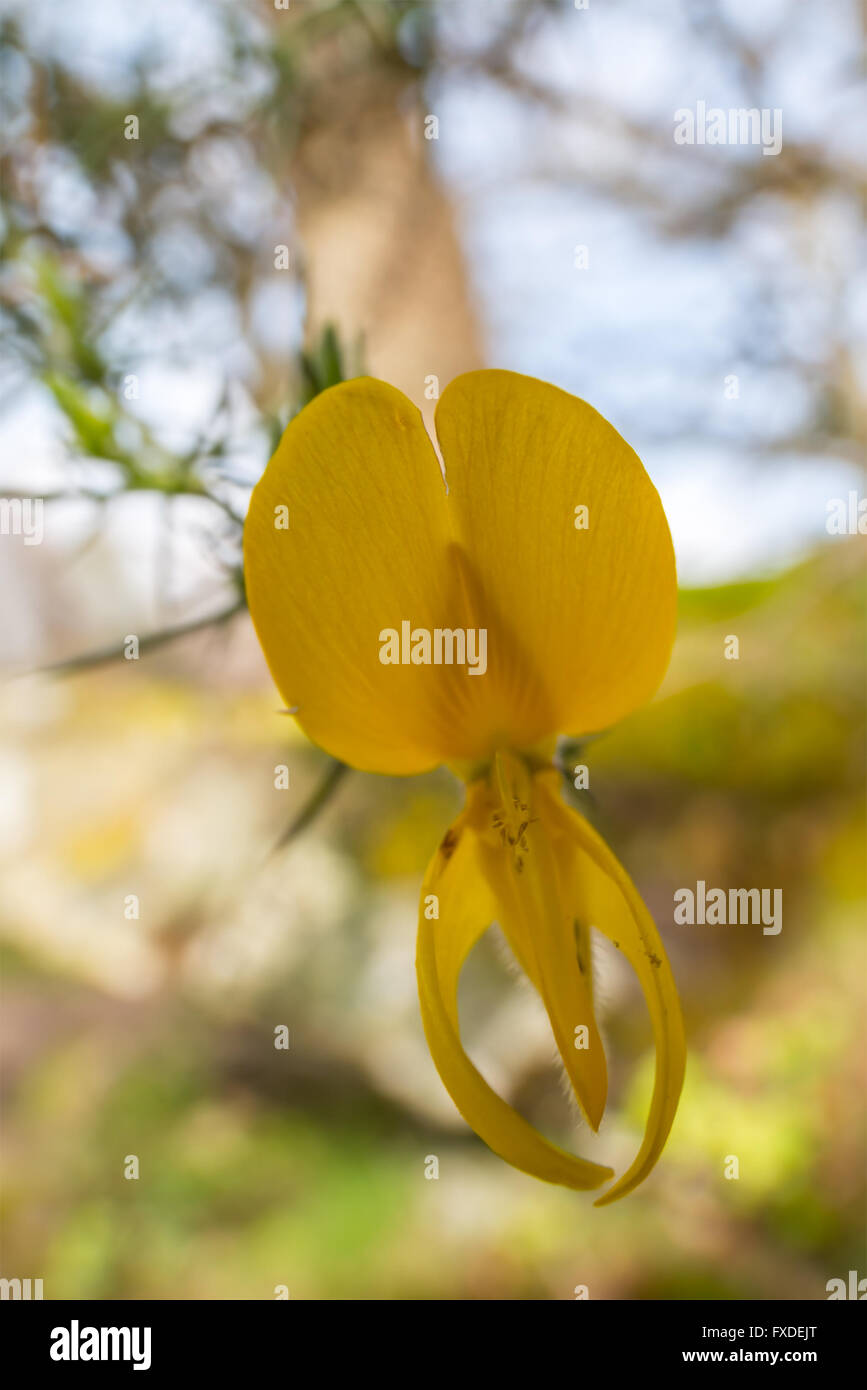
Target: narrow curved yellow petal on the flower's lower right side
602 894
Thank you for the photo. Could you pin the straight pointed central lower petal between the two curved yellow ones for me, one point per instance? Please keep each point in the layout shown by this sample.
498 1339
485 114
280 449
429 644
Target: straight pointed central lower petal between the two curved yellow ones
522 871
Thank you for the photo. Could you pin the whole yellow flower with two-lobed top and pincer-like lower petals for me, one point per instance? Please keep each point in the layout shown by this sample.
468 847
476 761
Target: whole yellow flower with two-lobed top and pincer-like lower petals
411 622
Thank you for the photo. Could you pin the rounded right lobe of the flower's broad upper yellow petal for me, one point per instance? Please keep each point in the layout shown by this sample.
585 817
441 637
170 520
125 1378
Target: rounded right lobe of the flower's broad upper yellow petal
581 618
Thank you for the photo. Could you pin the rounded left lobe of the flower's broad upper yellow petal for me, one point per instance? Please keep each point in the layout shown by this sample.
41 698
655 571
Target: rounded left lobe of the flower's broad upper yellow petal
358 548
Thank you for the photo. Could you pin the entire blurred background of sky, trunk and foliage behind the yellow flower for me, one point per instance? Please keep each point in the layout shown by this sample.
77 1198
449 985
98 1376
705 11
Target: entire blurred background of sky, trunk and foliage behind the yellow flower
169 302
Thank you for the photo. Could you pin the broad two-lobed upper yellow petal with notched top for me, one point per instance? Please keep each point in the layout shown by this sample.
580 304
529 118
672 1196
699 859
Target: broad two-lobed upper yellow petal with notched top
351 536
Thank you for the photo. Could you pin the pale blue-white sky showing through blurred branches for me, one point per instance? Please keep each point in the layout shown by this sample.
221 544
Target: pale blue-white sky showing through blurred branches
652 332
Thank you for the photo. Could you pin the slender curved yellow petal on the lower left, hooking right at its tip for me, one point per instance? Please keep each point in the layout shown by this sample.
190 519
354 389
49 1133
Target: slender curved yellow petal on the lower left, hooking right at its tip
466 908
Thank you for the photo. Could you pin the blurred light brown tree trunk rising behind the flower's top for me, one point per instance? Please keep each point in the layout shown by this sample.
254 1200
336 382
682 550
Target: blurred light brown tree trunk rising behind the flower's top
379 236
